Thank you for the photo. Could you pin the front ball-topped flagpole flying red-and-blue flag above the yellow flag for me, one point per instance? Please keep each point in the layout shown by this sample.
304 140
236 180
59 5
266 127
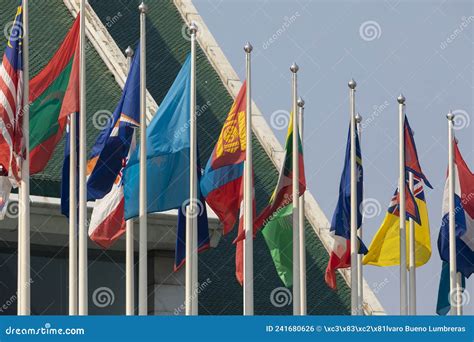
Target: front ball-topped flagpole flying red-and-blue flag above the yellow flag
401 189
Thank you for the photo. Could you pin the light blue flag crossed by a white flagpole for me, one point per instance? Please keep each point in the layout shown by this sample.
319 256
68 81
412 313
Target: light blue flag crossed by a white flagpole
168 151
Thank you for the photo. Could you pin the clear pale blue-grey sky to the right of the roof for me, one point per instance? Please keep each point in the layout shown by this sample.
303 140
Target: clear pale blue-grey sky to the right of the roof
423 49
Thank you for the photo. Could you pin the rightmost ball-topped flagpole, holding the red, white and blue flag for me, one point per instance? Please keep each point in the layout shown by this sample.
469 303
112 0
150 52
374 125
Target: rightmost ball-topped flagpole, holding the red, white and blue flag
453 283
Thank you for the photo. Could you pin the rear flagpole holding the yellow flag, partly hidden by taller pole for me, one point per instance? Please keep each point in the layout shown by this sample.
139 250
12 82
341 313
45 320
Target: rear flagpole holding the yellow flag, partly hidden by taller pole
411 260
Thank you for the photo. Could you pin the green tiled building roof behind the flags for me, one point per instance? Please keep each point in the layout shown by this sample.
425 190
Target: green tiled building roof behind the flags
167 48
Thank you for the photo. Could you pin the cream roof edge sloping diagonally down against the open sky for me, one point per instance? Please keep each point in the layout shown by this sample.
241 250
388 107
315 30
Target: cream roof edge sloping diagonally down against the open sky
267 139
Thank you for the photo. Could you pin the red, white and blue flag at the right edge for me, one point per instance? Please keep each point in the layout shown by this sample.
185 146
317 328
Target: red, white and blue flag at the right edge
464 217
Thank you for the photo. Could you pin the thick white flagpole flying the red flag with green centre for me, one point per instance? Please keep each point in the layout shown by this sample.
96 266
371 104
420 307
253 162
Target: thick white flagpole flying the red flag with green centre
83 282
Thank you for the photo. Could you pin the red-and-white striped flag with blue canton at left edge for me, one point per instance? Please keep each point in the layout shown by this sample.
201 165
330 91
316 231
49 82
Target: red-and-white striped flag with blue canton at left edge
11 104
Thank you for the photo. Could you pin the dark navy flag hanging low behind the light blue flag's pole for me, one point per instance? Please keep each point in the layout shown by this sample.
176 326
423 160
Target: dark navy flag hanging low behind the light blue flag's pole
203 230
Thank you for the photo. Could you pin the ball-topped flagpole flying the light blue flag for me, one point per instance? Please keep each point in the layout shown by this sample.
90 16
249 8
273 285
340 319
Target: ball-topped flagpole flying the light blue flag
193 174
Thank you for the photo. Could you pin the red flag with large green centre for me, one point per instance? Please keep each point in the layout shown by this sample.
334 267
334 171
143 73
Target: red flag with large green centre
53 96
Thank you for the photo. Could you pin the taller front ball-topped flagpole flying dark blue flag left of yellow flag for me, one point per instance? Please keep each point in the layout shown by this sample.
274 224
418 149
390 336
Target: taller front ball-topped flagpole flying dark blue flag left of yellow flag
354 285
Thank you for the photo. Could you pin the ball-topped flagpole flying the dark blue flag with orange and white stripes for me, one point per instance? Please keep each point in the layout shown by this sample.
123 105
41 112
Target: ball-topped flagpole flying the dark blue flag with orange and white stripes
143 252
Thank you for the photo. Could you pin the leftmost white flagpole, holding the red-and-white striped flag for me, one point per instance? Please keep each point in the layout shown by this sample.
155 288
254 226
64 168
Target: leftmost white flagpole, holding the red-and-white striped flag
24 218
